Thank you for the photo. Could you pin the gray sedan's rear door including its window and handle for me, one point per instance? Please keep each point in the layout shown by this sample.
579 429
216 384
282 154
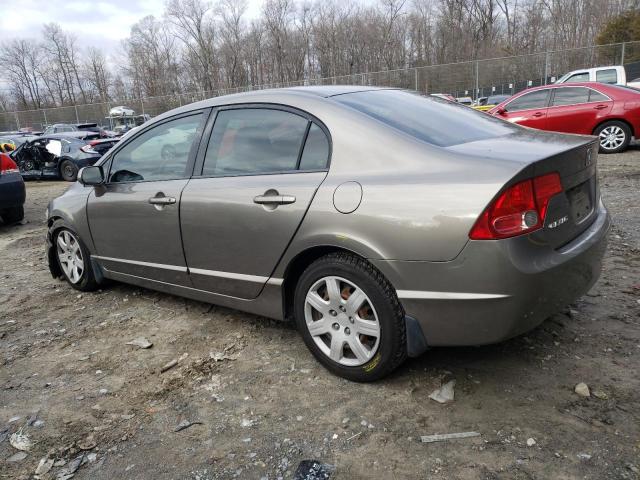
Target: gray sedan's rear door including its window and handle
254 183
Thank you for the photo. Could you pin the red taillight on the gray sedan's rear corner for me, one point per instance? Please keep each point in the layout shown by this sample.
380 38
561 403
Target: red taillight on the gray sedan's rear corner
520 209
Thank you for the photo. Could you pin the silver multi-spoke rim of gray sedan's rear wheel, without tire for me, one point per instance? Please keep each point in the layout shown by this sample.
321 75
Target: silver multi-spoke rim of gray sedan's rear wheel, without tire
342 321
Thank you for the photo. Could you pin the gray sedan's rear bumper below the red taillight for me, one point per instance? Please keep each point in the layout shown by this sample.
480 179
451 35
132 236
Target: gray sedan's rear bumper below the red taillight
495 290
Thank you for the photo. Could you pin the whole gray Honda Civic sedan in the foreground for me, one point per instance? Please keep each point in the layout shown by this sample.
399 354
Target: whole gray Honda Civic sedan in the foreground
381 221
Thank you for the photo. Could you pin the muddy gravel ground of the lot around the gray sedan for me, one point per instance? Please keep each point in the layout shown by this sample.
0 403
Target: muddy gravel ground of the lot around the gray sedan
71 382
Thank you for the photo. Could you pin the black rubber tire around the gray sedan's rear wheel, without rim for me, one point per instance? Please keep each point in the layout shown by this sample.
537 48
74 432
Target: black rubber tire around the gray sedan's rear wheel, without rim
392 349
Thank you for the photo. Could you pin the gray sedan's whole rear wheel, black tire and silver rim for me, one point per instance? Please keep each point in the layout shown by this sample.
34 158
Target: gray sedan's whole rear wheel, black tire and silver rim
350 318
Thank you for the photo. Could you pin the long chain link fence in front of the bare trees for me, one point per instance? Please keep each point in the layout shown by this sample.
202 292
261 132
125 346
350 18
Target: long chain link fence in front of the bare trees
477 78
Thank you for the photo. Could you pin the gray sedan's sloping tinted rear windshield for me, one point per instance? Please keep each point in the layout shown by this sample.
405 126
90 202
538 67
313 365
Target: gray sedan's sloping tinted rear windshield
429 119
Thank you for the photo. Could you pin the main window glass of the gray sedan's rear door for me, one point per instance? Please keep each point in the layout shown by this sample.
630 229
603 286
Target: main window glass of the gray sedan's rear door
250 141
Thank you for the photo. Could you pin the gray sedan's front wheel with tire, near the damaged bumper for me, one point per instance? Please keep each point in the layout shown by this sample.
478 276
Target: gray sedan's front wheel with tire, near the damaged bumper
74 260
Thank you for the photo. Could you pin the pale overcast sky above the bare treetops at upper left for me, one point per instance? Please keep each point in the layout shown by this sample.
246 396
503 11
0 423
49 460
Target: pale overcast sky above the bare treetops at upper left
101 23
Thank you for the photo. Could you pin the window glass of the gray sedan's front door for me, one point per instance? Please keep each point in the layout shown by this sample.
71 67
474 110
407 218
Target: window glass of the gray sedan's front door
161 153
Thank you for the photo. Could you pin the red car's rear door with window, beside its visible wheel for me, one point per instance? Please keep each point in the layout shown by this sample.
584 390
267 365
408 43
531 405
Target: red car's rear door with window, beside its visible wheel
576 110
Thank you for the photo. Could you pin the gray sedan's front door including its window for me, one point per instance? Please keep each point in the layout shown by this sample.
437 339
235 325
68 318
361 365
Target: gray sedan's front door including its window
135 217
